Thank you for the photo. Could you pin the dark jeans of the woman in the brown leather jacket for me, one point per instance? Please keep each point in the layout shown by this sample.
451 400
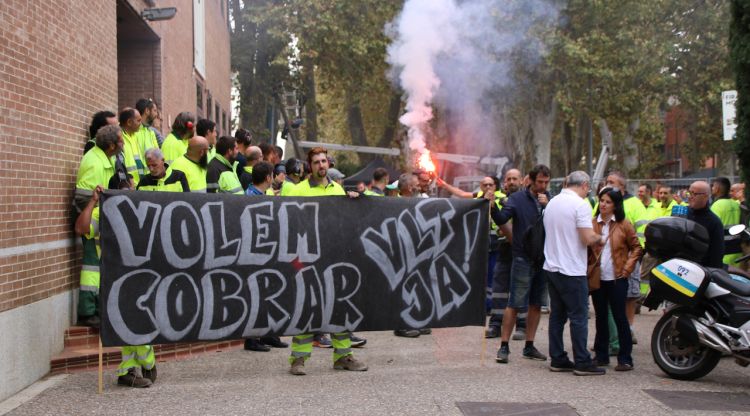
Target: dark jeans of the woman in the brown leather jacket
612 294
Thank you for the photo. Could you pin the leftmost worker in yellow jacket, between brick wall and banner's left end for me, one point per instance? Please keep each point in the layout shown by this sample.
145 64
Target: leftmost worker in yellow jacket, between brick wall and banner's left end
97 169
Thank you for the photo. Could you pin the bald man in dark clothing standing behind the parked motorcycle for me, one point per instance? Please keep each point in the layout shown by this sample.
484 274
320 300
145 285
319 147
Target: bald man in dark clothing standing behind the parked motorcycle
698 211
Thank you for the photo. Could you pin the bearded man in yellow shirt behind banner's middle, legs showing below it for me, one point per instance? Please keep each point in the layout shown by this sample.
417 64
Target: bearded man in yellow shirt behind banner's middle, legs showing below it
319 184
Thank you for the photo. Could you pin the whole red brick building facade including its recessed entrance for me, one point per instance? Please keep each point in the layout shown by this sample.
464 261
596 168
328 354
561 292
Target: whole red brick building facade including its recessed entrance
59 64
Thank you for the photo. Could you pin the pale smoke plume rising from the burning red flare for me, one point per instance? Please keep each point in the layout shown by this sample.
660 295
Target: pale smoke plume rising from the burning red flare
458 56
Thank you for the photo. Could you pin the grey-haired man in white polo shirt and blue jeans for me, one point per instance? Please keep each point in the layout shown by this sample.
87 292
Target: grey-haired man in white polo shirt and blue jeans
569 230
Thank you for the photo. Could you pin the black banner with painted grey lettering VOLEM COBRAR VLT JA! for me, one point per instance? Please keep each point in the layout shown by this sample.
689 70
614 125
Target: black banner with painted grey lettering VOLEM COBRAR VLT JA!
205 267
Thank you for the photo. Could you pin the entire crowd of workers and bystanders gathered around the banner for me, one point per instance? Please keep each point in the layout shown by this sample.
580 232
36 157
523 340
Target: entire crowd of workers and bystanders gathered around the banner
593 245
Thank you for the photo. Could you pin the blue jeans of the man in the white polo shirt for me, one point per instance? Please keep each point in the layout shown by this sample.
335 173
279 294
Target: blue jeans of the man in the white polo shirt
569 297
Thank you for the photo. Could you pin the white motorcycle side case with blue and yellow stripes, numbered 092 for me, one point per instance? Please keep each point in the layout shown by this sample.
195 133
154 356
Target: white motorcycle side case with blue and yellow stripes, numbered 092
679 281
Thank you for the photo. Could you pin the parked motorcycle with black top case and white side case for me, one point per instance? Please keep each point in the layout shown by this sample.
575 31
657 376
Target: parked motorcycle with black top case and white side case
709 313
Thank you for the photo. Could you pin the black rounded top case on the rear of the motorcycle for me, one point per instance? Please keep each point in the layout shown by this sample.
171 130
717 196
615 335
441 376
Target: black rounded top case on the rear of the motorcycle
670 237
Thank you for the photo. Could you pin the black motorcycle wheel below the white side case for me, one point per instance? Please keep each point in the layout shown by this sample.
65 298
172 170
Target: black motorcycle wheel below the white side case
678 358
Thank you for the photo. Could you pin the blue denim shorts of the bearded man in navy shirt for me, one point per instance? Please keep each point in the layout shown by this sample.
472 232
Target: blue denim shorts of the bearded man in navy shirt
528 284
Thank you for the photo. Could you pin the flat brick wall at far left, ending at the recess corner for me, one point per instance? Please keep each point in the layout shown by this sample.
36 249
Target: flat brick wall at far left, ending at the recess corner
58 66
